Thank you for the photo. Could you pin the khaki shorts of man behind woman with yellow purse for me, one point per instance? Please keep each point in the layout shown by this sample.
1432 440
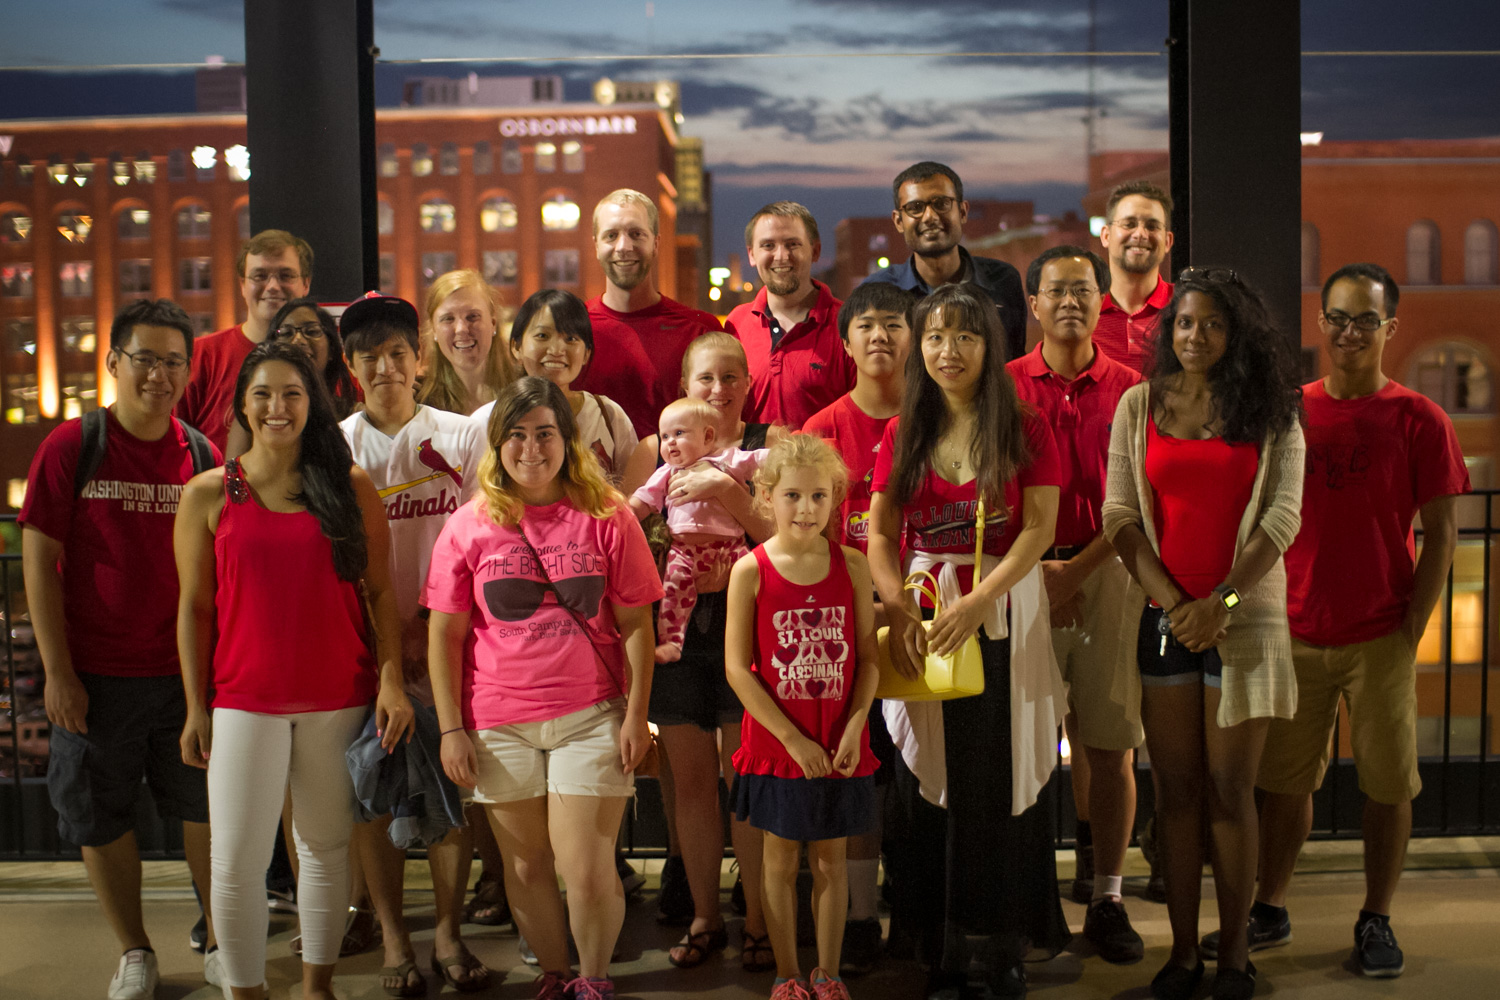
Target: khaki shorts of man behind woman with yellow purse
1087 657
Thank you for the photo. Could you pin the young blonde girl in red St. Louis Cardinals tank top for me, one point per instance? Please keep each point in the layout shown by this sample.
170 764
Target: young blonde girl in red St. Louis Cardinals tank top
800 654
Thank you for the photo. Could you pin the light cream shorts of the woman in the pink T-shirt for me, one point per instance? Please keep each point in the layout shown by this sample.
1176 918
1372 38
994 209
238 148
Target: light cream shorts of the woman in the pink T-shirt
574 755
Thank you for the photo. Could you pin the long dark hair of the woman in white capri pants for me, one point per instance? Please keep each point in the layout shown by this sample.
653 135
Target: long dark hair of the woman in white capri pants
328 491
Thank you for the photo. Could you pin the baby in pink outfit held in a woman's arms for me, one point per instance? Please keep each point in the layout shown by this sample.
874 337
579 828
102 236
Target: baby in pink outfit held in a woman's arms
706 537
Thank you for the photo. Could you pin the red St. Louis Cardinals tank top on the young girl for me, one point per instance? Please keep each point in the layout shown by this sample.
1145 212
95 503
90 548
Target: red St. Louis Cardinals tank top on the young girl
805 656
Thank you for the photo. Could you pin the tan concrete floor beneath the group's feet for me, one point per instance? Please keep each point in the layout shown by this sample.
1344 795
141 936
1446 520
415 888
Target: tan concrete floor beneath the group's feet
55 944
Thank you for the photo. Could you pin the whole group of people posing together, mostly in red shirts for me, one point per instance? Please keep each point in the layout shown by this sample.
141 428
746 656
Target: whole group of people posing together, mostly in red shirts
526 561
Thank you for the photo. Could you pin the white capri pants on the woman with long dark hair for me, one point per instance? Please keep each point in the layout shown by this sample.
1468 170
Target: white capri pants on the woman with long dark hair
251 761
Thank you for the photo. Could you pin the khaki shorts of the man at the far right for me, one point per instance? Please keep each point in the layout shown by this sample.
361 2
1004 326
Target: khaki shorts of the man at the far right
1378 681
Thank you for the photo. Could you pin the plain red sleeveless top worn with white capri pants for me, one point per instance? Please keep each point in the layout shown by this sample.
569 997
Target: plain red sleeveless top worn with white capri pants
292 636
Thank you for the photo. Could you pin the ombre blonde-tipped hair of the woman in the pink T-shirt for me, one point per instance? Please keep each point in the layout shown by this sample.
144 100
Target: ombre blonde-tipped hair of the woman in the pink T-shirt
581 476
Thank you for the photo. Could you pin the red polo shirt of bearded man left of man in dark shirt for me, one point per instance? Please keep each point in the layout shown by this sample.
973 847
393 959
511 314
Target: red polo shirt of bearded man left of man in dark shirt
805 373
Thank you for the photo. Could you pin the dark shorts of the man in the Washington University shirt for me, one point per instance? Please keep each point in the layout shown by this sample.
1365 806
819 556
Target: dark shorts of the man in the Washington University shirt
136 728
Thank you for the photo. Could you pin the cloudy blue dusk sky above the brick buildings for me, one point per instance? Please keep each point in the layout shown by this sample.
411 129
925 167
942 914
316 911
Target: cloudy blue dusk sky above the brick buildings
827 131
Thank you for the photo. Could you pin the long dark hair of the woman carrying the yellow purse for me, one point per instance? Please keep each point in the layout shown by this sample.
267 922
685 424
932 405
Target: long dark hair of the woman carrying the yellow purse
998 449
